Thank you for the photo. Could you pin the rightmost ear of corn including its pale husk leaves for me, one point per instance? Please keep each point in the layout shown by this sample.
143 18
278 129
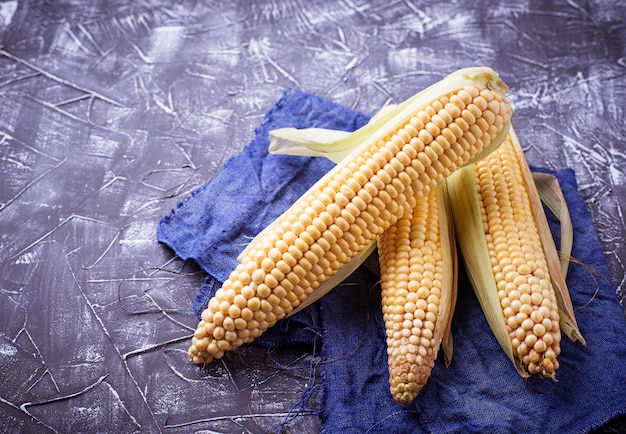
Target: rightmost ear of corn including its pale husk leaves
501 235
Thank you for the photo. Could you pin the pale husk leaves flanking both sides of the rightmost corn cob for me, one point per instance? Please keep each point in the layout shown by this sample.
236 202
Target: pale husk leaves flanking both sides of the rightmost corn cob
473 246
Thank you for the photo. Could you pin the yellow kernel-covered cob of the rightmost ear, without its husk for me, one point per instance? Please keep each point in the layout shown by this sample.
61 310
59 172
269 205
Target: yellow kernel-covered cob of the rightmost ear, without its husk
518 261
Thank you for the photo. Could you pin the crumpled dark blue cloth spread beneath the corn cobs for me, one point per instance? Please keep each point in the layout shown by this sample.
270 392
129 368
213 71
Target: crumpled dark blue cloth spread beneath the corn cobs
480 391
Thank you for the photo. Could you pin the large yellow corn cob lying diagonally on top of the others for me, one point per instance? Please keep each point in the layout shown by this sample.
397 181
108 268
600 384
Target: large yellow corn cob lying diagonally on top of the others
431 136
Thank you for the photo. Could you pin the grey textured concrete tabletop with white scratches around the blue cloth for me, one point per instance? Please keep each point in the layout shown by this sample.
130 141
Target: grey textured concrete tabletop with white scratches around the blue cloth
112 112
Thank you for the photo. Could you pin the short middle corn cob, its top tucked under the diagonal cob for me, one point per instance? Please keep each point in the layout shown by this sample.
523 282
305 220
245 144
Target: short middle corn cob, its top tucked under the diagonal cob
418 282
